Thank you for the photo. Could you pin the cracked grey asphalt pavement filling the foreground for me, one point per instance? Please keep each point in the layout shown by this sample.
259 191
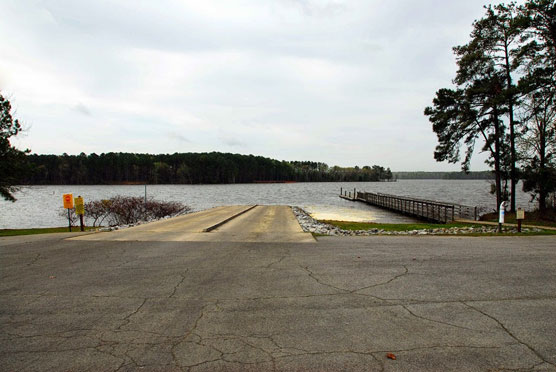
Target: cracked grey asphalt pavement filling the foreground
340 304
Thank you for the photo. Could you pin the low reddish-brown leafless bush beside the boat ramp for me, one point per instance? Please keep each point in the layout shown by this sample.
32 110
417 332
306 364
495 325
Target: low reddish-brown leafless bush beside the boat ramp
125 210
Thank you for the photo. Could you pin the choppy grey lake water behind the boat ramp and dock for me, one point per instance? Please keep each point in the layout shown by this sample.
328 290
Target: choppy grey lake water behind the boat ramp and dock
38 206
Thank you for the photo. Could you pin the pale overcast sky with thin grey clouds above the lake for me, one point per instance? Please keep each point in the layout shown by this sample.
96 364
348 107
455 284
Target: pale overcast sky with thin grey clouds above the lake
343 82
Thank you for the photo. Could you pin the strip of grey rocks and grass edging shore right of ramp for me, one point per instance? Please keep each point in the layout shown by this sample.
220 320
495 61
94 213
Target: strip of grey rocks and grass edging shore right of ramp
309 224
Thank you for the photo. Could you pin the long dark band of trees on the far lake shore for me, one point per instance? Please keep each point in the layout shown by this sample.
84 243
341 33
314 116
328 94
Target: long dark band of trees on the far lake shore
186 168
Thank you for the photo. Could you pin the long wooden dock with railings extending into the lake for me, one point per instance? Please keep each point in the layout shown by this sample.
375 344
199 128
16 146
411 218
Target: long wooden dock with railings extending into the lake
429 210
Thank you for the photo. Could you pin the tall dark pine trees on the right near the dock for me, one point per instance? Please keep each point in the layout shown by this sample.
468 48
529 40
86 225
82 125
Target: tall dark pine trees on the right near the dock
504 97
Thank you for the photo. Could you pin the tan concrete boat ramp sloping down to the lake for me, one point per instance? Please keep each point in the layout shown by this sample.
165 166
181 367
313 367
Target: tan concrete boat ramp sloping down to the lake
239 223
